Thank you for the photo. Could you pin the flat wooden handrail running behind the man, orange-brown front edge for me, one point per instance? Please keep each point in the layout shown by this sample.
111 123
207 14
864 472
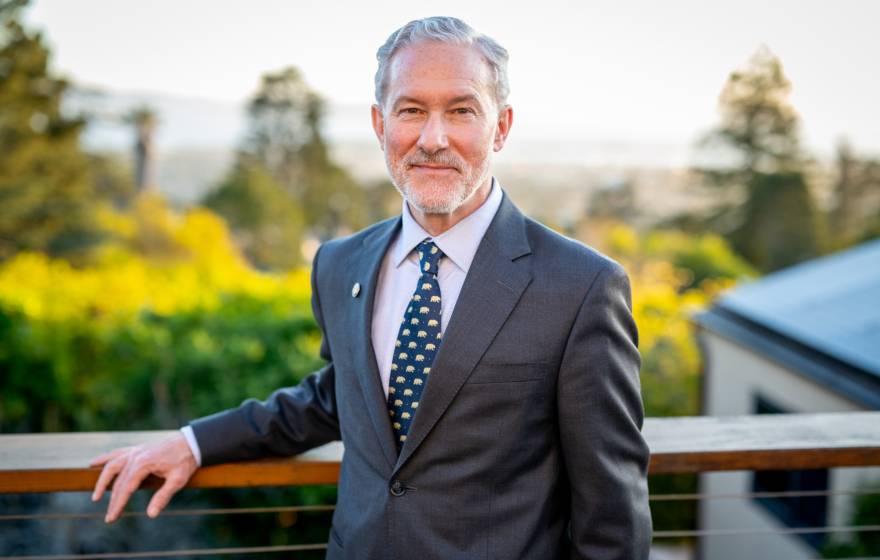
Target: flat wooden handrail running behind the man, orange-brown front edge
58 462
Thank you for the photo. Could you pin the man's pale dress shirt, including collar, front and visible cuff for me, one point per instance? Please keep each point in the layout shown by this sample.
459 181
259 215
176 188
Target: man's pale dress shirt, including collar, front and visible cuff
400 272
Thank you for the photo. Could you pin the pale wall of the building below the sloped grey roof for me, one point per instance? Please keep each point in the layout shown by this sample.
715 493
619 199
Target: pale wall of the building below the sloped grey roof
734 377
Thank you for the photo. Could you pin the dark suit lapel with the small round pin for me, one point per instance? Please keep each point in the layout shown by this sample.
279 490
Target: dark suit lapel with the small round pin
364 269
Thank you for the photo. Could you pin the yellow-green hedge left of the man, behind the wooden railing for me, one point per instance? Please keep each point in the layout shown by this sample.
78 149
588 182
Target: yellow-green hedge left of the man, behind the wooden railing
165 325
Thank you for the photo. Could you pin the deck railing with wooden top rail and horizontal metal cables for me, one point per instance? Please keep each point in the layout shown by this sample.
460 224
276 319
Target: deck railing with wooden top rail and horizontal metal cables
54 463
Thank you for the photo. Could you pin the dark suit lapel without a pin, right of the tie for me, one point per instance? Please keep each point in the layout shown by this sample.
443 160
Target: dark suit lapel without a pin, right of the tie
492 288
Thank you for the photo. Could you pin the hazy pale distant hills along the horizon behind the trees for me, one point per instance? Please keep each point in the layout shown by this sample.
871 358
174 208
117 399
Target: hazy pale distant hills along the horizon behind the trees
549 177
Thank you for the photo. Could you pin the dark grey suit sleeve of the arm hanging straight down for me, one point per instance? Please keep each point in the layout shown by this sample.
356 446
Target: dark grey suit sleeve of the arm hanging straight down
600 420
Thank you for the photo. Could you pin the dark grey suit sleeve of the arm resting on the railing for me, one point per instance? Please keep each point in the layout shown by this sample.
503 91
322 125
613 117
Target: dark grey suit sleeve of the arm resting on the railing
291 421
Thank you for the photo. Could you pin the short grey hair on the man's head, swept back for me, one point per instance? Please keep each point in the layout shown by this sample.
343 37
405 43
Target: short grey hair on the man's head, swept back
448 30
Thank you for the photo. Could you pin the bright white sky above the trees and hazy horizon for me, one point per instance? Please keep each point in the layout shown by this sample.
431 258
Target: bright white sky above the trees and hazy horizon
627 72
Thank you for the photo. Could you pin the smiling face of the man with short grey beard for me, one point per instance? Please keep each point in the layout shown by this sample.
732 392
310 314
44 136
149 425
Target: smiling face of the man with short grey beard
439 126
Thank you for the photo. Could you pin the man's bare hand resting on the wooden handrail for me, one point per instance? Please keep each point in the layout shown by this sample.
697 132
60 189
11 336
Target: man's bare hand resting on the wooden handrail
170 459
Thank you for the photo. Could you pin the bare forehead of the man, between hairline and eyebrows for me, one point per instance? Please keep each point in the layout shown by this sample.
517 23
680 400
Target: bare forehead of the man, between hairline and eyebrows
432 69
